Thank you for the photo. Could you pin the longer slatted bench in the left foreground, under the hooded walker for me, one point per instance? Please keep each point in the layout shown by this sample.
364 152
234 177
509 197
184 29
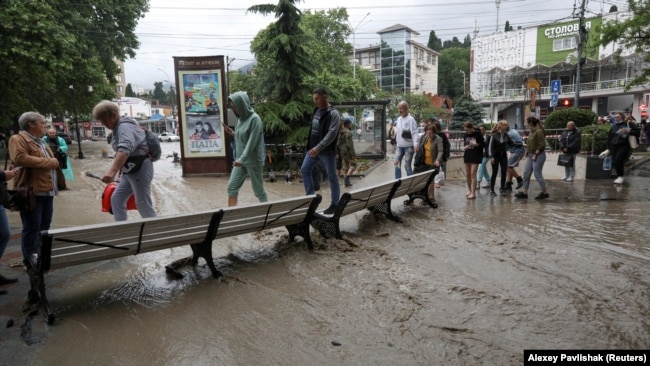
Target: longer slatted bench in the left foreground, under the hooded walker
84 244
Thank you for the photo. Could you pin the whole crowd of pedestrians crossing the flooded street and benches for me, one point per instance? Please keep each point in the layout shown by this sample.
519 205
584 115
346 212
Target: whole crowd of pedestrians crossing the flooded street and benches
39 160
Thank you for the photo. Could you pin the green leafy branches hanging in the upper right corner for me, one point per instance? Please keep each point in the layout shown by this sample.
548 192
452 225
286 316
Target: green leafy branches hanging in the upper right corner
631 33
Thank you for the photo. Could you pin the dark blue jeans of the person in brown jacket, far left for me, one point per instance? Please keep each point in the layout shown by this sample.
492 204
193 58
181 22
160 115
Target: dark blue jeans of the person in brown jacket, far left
34 222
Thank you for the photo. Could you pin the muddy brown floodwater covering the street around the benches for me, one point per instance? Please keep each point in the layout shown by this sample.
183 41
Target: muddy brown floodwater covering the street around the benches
470 283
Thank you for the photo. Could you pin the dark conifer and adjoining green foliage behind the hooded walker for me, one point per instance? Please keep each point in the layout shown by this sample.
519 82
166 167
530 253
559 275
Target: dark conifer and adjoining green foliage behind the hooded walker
285 102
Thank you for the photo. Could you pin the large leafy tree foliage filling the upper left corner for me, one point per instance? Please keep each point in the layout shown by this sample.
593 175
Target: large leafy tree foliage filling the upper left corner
48 45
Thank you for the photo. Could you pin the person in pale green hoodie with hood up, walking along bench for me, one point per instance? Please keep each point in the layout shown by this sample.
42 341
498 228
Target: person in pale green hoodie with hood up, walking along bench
249 147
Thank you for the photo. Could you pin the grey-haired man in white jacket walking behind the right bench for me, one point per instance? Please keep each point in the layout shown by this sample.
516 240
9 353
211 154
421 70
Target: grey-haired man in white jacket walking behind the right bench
407 140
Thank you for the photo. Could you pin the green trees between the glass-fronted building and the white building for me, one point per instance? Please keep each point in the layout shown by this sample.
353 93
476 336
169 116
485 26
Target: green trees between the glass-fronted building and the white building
450 78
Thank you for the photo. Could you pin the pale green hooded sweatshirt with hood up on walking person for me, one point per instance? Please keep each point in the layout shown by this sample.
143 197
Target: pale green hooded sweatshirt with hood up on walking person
249 132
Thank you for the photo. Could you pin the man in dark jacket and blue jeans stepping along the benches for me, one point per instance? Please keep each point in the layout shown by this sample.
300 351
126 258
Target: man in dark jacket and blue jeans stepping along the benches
321 146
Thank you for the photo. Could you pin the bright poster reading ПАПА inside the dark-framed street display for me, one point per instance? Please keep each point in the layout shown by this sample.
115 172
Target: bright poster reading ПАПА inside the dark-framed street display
202 113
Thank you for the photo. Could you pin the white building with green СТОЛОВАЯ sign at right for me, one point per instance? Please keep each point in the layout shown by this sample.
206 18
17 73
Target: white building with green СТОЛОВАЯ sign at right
511 73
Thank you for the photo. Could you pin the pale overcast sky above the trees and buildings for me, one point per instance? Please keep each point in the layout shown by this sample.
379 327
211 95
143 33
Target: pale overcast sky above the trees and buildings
222 27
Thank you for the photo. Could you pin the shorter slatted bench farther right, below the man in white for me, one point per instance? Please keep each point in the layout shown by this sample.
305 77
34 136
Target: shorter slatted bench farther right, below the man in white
376 199
